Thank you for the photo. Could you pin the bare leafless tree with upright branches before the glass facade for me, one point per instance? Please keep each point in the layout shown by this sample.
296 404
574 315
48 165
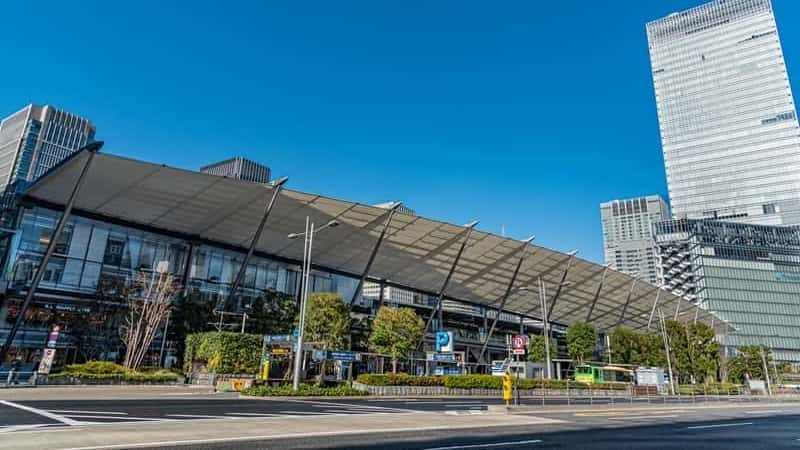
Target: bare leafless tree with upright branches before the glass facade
149 301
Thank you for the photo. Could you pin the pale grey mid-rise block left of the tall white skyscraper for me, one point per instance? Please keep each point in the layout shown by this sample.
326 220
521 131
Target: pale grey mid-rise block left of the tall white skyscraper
628 237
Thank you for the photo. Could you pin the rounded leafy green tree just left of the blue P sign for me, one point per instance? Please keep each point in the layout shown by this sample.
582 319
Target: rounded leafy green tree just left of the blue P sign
395 332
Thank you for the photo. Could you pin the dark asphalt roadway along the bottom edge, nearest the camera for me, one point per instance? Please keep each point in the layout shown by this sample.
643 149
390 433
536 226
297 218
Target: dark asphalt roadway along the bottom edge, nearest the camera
779 432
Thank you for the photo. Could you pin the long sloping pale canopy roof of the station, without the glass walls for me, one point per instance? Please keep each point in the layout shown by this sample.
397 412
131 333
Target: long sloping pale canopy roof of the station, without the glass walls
417 252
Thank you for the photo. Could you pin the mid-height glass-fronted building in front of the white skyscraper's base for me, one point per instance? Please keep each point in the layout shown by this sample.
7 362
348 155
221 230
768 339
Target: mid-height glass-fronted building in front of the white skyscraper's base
749 275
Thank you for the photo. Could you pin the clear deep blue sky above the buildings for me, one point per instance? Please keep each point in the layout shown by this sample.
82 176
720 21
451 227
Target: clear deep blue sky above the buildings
523 115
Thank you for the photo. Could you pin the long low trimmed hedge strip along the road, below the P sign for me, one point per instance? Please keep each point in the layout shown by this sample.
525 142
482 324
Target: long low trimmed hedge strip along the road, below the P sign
478 382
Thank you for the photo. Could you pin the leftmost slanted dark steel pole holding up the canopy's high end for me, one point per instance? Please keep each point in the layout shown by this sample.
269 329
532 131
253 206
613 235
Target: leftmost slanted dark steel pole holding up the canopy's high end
92 149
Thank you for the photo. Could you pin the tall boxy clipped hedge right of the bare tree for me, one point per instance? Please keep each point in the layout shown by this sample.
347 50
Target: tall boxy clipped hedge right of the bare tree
224 352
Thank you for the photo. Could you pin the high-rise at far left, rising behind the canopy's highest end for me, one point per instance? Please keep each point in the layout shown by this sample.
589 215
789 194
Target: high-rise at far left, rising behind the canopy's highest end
36 138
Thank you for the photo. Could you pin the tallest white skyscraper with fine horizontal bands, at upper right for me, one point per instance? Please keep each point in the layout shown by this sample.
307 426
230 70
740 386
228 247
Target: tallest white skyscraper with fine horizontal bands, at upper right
728 122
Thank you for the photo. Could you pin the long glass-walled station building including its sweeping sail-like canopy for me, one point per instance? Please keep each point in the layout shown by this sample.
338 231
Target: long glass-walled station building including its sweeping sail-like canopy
131 215
